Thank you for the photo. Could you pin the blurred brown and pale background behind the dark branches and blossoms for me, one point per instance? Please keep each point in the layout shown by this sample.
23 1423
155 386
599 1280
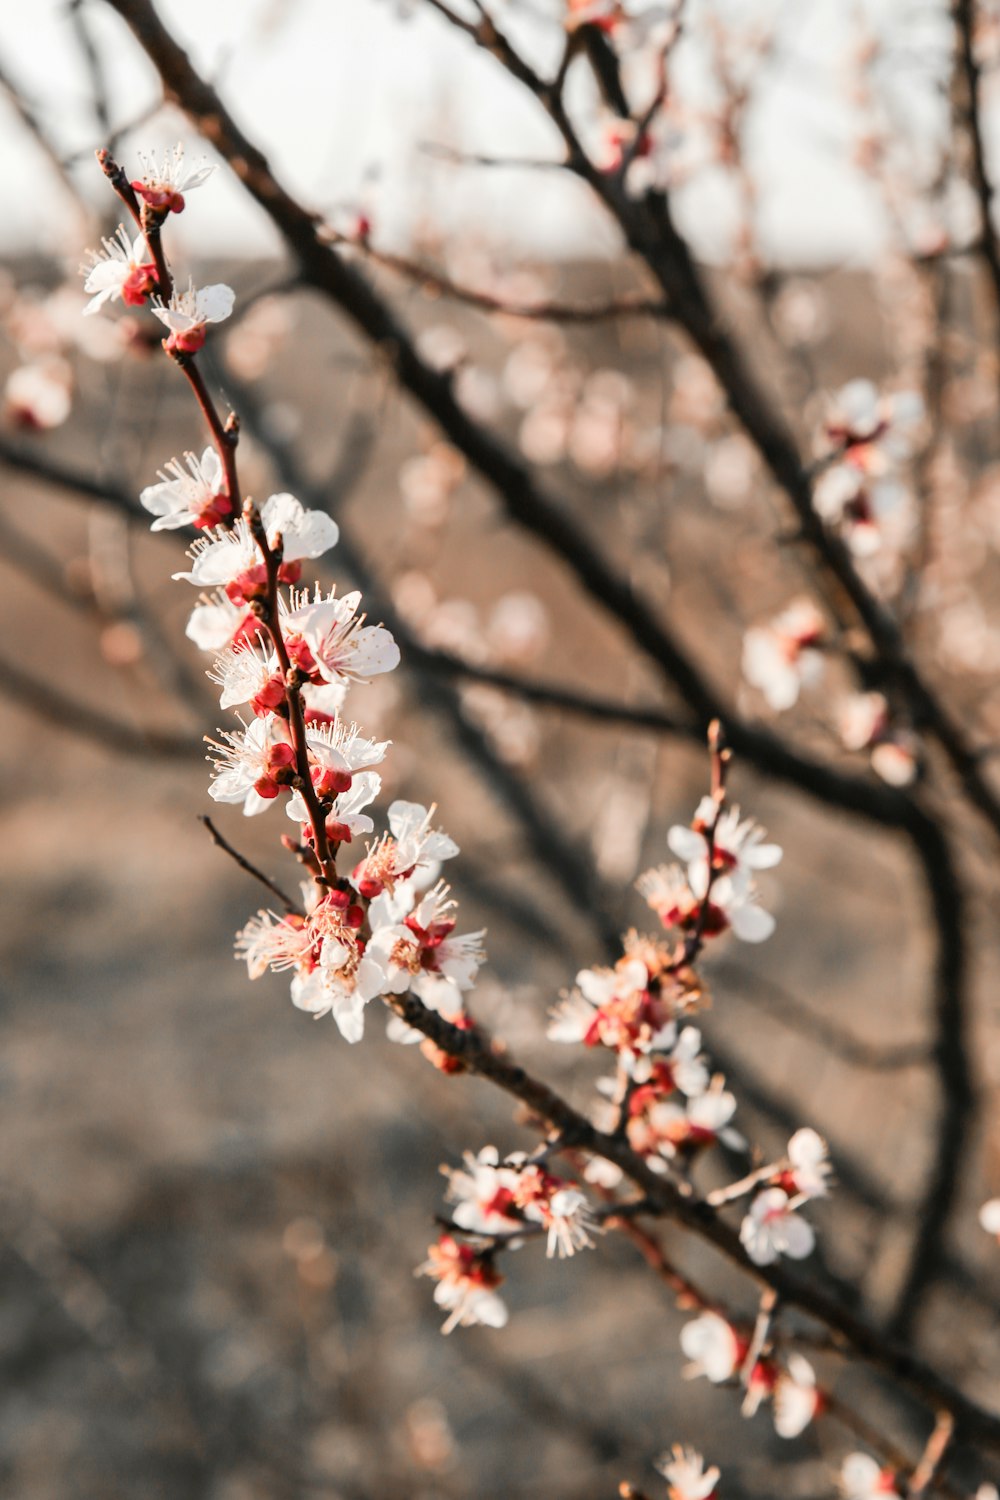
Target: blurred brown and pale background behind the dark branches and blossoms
212 1207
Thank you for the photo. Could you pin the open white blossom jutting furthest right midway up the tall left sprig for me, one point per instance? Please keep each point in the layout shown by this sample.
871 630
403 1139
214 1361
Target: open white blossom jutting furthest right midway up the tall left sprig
331 638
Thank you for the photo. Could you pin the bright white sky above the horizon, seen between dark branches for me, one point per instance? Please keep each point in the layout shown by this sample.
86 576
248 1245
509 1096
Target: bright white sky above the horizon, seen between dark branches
340 94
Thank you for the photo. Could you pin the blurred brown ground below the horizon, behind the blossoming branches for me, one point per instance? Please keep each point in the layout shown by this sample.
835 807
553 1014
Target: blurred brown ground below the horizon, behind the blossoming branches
212 1207
